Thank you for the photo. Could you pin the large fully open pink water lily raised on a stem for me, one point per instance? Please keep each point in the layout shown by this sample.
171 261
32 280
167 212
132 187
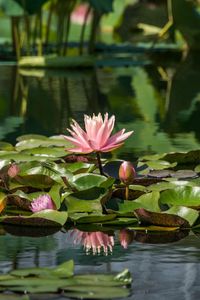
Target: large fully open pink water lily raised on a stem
97 135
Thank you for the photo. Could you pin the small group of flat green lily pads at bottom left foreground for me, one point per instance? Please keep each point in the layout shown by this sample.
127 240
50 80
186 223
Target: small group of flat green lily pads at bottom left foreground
61 279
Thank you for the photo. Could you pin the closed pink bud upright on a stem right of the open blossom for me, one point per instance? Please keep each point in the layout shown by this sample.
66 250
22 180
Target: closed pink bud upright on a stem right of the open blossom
127 172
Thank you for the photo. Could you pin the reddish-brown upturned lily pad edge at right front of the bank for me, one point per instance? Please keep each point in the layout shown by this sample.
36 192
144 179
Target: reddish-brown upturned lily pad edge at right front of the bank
160 219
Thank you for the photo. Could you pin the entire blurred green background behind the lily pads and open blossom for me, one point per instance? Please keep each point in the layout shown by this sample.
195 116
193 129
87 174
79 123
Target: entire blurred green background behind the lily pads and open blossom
138 60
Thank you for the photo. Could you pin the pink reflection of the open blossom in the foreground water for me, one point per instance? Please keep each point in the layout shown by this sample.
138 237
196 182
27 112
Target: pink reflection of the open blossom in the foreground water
94 242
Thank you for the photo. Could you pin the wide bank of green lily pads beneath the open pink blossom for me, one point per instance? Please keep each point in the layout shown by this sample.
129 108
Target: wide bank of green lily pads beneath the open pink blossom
165 194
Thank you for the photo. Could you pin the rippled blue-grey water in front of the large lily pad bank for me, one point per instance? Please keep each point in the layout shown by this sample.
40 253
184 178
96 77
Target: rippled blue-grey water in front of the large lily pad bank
159 271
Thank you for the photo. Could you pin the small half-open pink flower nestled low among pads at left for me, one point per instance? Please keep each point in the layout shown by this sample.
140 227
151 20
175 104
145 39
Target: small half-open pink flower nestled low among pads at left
41 203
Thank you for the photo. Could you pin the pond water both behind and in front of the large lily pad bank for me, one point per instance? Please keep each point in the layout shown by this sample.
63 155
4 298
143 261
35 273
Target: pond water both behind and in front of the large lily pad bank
161 103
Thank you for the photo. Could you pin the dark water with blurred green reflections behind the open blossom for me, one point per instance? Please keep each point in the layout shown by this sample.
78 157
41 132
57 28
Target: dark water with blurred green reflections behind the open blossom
159 102
